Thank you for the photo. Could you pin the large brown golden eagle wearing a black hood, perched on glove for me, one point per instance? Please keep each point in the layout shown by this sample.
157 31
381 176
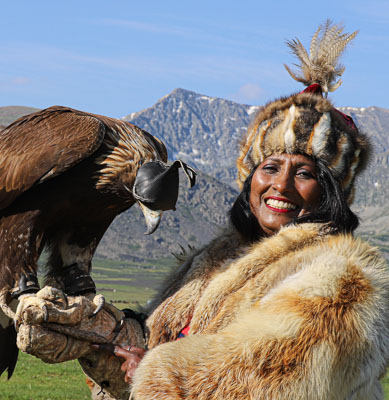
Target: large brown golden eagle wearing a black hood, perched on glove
64 176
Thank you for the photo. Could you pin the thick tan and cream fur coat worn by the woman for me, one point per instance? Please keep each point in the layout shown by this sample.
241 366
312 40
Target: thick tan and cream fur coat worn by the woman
299 315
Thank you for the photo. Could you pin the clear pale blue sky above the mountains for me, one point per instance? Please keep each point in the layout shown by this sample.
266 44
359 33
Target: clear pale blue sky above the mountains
117 57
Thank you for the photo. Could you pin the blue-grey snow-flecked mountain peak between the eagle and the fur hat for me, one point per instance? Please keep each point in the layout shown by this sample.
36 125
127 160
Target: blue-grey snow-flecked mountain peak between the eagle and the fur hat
204 131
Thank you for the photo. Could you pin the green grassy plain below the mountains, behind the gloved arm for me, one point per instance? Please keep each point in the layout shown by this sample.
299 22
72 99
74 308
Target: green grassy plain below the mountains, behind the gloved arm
125 285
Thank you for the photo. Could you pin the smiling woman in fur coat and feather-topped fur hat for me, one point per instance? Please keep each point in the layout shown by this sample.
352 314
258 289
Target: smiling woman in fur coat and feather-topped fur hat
285 304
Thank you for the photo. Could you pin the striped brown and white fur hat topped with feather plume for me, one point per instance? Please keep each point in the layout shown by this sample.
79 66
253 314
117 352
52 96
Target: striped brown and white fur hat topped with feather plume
307 123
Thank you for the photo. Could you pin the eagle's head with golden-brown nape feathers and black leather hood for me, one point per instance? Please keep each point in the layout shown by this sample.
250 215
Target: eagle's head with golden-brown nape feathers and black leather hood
133 165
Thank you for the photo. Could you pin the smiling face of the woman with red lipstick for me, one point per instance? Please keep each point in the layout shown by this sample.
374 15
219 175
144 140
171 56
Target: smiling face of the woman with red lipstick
283 187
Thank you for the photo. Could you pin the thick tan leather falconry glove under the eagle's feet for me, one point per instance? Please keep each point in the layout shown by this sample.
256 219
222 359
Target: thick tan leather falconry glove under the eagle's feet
57 328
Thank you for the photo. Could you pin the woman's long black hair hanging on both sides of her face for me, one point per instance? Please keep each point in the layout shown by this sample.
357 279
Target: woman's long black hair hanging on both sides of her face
333 207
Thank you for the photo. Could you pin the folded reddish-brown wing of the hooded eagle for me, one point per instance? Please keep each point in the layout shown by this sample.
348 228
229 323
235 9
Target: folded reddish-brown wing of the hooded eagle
41 145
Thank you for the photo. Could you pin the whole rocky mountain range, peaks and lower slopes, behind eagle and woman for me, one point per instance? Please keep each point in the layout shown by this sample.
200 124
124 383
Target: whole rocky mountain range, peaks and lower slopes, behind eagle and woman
205 132
